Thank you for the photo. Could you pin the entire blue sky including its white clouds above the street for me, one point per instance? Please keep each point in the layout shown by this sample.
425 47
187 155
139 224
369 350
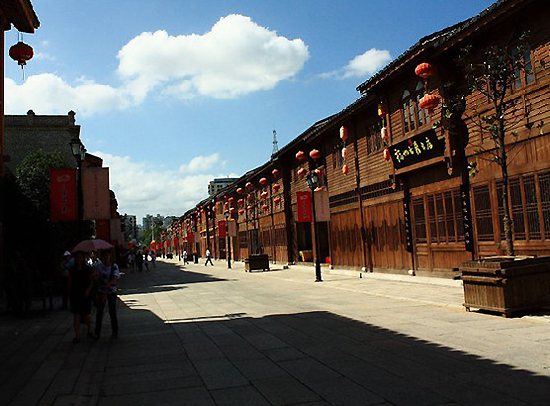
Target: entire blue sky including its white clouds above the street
172 93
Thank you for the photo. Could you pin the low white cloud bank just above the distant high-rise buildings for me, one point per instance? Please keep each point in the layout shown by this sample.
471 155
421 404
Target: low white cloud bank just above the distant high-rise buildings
141 188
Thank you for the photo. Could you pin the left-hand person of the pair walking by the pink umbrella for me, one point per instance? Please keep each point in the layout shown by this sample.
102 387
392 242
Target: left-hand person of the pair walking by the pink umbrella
81 283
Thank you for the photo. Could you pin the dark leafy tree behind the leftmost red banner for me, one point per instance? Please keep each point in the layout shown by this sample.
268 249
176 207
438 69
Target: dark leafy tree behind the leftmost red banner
33 177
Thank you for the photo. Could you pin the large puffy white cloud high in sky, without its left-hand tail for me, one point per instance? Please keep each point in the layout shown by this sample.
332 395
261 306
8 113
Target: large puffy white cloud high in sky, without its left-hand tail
234 58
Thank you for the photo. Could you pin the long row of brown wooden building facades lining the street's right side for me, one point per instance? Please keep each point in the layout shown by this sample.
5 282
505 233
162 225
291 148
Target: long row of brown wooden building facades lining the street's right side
394 192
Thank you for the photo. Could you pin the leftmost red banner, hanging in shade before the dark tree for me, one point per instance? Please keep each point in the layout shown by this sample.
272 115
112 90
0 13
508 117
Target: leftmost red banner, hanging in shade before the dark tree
63 206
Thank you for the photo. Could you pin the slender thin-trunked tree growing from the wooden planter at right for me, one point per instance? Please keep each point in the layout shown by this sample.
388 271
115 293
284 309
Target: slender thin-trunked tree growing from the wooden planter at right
494 74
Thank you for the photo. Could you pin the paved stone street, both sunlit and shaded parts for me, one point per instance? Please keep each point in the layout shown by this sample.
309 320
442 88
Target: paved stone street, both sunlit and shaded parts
218 336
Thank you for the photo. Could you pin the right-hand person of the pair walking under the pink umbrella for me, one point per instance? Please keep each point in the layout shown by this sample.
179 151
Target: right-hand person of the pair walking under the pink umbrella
107 274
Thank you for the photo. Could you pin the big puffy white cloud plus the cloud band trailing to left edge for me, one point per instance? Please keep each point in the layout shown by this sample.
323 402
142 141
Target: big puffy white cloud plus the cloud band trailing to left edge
234 58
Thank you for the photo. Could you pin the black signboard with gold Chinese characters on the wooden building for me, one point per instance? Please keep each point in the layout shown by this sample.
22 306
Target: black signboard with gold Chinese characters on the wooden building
419 148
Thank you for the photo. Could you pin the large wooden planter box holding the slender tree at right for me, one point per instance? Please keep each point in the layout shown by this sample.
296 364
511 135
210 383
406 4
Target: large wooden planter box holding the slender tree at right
506 285
